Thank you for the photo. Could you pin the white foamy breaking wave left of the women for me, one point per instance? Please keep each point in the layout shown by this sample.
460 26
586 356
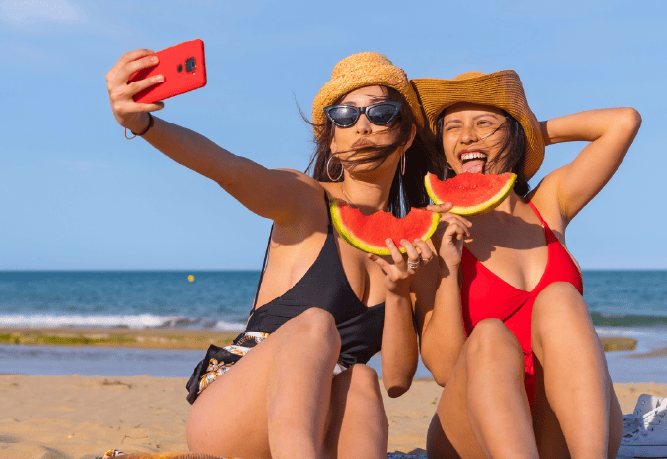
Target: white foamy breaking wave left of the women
137 322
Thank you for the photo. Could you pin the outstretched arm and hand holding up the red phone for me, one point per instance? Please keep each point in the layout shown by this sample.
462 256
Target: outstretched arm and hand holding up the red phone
274 194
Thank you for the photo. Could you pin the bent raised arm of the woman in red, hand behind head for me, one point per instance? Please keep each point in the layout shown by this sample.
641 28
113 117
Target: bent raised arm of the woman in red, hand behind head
610 132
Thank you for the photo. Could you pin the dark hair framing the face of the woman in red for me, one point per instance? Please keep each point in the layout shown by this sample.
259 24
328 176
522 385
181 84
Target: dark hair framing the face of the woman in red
513 151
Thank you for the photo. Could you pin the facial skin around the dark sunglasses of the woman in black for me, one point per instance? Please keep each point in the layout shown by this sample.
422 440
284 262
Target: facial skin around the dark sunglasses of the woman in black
364 134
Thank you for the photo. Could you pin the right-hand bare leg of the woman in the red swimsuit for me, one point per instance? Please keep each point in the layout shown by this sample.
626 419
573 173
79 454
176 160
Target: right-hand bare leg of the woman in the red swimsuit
575 399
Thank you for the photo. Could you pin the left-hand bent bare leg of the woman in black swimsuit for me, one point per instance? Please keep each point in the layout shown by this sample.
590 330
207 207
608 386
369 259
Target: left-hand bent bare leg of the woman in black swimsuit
274 402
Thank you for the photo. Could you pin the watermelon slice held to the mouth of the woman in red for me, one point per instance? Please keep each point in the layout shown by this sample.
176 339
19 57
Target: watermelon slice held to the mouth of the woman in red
470 194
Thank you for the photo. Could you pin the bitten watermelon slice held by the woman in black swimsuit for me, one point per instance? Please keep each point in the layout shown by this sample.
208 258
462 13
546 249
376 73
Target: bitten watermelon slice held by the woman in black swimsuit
369 232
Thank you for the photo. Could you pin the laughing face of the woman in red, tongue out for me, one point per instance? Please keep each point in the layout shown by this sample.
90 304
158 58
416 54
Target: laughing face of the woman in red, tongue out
473 137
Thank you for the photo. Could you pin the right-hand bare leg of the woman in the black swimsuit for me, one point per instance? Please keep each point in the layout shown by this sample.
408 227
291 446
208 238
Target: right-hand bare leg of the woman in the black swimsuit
359 426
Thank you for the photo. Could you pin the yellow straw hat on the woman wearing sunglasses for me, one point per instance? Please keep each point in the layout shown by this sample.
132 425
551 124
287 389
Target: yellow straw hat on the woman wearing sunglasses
357 71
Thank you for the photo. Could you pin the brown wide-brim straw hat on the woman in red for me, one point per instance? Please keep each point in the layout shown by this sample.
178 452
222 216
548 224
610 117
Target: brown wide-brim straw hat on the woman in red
500 89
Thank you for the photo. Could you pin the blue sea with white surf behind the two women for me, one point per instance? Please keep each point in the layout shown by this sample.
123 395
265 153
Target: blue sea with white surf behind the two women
221 300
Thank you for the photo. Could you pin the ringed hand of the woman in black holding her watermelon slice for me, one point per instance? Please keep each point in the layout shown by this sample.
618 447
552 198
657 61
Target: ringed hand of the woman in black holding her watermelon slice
402 269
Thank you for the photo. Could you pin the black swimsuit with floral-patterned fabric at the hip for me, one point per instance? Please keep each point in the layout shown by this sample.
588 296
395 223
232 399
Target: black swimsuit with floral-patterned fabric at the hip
324 286
